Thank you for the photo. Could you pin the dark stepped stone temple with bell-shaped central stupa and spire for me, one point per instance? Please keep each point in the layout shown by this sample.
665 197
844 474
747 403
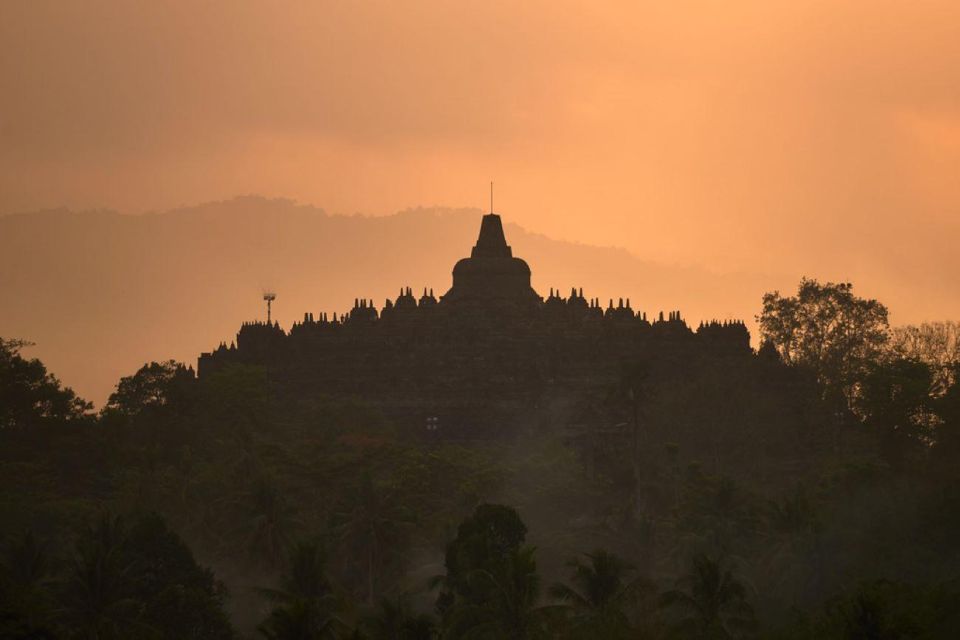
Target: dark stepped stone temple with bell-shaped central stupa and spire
486 354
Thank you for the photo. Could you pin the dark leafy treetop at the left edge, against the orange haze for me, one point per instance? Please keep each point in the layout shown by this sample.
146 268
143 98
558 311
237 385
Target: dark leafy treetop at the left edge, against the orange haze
30 396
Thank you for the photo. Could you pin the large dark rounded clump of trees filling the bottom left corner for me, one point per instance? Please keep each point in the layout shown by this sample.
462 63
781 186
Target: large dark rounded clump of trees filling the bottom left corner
116 581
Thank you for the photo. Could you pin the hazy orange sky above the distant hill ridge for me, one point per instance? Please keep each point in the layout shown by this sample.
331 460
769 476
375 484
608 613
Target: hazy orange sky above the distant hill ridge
808 137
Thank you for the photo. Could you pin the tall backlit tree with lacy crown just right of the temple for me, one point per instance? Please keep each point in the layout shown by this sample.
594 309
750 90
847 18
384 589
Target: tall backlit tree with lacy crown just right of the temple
827 328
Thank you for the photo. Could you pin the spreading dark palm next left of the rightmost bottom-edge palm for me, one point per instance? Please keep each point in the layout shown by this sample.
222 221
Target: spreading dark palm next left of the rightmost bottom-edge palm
601 590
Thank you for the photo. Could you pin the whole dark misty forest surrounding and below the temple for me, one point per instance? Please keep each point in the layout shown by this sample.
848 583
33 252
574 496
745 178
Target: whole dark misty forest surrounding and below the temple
807 490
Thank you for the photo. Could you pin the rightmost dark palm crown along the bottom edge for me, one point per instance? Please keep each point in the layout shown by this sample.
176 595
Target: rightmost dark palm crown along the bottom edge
712 606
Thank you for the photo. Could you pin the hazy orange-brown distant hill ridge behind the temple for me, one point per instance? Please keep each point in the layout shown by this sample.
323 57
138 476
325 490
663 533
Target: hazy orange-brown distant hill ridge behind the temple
100 293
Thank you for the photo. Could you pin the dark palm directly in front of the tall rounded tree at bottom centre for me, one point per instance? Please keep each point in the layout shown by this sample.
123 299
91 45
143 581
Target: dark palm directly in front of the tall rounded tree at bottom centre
511 612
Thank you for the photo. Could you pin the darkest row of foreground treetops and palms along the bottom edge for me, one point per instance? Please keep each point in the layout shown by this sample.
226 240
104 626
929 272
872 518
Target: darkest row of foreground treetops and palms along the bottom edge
141 581
